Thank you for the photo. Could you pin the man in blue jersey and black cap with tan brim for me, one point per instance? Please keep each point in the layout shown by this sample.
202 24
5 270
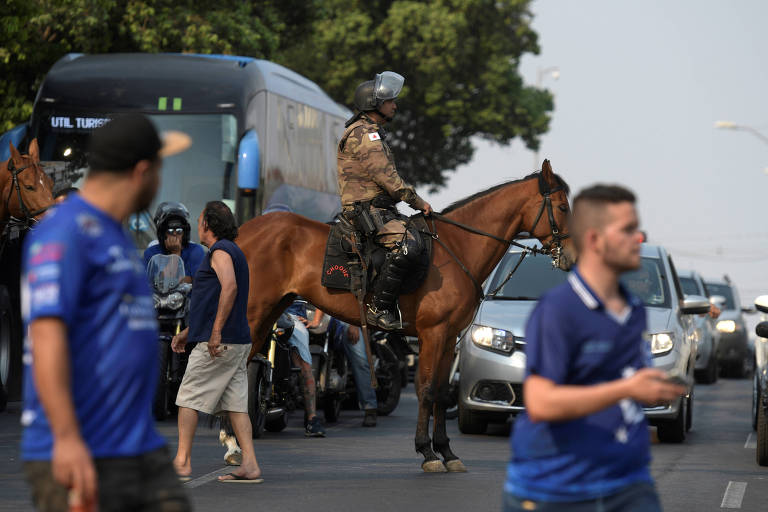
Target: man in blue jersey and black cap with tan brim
91 354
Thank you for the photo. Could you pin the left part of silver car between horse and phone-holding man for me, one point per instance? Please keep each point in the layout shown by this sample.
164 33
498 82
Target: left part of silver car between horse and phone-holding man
492 350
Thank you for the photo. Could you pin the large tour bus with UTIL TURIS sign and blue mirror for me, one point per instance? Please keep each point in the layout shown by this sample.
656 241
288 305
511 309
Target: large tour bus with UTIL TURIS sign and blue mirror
262 135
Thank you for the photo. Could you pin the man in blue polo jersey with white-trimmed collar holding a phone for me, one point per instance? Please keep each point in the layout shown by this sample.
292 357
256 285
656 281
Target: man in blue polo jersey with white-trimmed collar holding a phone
583 443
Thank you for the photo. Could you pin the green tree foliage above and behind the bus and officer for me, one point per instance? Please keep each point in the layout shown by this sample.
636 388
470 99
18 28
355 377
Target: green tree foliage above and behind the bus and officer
460 58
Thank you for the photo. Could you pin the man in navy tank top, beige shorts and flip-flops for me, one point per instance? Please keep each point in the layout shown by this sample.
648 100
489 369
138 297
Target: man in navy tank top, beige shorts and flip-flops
216 380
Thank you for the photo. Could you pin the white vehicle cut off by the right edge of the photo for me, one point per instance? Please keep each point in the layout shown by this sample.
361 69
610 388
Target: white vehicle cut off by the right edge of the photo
760 383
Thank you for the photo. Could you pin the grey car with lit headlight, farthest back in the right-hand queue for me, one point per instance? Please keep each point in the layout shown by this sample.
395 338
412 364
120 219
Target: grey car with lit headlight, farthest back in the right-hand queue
734 353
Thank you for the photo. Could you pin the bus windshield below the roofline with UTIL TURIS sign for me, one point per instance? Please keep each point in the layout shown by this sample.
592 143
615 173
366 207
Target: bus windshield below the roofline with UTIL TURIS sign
205 172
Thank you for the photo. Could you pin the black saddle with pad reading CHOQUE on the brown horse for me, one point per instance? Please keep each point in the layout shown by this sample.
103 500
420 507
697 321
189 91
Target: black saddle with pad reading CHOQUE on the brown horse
342 264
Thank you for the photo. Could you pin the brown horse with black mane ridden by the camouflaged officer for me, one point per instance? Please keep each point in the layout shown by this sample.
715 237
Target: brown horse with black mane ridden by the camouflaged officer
285 254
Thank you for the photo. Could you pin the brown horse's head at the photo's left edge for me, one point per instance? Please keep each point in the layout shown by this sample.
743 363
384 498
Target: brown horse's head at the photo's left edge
27 192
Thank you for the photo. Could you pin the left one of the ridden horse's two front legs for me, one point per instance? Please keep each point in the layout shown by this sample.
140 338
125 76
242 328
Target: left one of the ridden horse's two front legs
426 396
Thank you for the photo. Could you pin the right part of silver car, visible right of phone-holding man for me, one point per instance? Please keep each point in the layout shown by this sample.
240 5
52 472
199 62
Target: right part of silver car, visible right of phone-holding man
671 334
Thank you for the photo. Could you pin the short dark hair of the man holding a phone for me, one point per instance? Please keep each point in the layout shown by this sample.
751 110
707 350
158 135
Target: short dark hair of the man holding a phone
589 205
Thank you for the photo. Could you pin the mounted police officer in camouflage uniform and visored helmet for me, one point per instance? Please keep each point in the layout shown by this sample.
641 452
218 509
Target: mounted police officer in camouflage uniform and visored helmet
370 188
